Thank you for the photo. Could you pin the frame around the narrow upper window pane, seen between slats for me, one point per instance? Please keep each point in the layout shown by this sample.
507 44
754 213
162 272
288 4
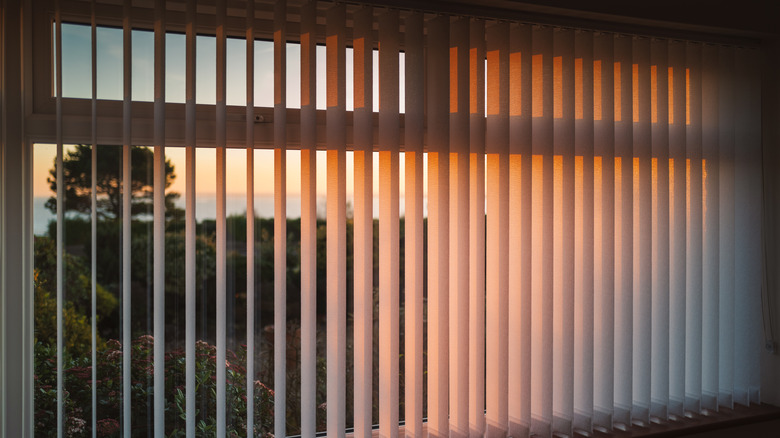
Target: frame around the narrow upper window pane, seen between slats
76 118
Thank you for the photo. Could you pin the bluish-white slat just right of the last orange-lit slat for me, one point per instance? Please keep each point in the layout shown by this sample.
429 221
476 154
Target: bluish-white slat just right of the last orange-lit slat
726 116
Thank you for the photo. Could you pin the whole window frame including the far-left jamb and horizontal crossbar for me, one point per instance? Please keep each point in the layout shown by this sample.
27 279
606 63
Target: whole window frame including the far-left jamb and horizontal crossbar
37 124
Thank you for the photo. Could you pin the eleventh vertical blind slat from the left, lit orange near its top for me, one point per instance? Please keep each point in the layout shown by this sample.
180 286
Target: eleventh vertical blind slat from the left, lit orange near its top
363 43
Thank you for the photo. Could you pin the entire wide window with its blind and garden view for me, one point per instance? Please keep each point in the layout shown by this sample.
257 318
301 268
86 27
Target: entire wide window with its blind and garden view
402 219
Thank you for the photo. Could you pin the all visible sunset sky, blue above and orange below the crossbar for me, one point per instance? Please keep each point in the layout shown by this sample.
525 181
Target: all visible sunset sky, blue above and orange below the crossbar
77 83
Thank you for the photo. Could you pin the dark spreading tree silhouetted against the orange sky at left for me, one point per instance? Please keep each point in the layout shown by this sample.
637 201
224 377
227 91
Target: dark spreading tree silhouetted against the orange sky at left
77 175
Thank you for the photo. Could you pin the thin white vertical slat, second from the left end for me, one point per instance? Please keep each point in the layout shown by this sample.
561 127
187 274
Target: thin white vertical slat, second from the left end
93 220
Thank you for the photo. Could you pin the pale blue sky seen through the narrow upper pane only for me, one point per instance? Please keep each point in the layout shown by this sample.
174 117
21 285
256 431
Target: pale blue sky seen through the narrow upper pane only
77 73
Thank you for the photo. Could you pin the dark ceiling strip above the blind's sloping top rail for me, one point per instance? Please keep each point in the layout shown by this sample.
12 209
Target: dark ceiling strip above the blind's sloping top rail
747 20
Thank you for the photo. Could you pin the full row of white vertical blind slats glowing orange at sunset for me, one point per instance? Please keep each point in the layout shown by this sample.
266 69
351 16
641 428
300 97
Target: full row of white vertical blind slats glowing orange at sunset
587 255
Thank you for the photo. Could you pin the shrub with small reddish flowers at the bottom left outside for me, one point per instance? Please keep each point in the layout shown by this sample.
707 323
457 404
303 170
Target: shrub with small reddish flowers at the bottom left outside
77 393
